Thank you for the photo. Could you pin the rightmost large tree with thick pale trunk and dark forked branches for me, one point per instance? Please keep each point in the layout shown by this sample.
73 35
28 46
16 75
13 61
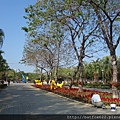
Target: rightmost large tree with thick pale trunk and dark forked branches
108 14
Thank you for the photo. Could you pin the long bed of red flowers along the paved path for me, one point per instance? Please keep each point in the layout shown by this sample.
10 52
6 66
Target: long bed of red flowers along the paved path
84 96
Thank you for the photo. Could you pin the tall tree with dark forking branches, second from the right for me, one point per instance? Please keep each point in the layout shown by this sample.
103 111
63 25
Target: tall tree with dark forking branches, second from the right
77 20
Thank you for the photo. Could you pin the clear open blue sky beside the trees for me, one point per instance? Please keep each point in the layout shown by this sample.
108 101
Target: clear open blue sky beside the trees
11 21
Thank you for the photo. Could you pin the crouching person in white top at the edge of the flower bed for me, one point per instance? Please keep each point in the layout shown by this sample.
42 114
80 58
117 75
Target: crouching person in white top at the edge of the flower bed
96 101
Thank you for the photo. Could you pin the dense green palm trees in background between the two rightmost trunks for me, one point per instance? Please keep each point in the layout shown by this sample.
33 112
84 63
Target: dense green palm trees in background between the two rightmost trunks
101 68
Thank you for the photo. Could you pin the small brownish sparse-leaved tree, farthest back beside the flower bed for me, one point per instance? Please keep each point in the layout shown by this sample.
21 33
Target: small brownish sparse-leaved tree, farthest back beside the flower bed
35 55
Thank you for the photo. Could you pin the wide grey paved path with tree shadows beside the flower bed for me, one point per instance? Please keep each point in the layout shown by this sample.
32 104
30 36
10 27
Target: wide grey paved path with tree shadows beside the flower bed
22 98
